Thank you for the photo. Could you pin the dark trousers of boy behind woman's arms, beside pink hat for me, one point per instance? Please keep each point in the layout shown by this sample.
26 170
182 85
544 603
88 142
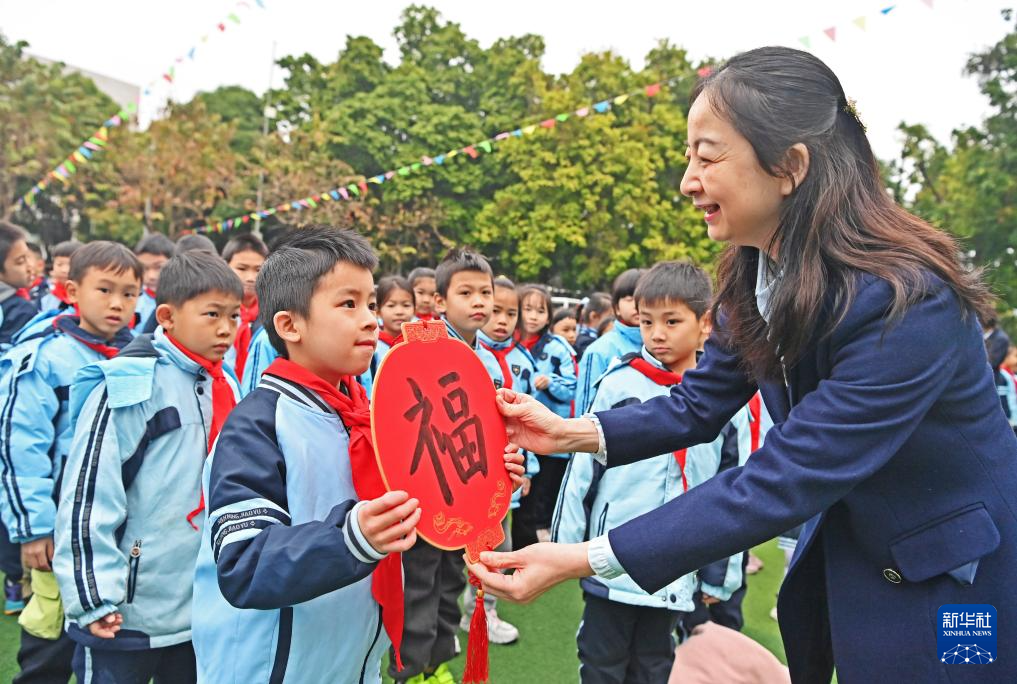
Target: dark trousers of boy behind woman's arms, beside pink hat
620 644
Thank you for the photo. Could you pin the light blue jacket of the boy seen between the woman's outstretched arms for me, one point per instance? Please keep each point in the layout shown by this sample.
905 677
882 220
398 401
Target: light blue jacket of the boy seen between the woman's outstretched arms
594 501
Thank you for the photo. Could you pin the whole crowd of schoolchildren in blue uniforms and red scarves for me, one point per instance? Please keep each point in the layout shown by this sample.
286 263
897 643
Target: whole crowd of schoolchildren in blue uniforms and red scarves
190 482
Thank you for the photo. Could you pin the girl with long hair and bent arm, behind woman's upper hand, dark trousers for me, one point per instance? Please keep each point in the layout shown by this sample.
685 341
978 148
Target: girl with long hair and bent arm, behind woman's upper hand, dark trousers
556 385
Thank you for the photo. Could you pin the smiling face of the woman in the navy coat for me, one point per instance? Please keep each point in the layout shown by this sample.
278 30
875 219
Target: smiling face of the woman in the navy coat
741 201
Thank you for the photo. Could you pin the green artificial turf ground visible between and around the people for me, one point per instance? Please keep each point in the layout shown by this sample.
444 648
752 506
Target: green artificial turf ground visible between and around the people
547 650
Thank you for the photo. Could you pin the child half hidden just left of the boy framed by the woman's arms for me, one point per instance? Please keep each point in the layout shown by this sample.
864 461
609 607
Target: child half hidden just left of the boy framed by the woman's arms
610 347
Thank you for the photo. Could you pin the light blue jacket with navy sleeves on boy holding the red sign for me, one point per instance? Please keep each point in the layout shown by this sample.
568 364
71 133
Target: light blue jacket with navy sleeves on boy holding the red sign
283 588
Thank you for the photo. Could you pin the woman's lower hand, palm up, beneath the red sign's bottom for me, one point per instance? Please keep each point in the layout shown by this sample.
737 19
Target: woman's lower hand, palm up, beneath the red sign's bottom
539 569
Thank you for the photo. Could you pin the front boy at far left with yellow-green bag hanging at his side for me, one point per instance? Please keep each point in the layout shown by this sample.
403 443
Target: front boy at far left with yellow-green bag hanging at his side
104 281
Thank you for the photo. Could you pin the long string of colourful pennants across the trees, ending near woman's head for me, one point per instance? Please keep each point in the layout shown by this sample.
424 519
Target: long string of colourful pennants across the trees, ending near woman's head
471 152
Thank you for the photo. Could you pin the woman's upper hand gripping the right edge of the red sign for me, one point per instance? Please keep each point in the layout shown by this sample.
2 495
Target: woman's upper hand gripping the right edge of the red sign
533 426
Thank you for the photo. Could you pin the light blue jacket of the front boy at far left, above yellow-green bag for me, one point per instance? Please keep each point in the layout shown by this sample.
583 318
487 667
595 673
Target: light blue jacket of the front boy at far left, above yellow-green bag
36 429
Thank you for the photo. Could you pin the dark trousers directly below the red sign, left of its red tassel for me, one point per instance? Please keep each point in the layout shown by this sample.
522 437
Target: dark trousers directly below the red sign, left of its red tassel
434 582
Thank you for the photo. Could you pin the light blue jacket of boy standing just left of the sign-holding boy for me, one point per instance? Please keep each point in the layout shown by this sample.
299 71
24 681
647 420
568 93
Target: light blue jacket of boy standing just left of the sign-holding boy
124 542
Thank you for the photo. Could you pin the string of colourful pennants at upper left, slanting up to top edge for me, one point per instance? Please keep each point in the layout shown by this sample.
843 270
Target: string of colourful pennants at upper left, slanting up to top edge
99 141
